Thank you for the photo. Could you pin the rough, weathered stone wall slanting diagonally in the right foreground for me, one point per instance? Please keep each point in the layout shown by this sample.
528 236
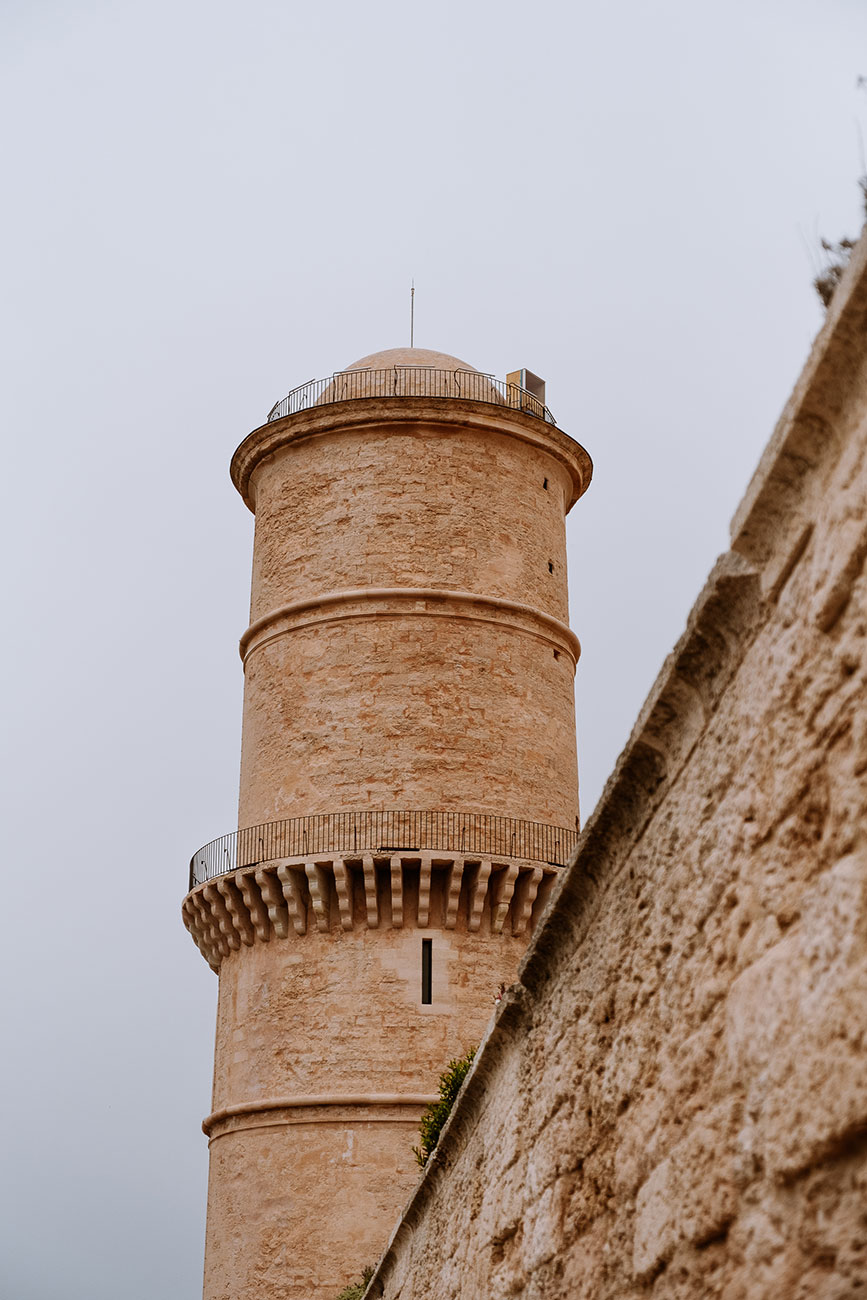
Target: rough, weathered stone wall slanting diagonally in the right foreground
673 1099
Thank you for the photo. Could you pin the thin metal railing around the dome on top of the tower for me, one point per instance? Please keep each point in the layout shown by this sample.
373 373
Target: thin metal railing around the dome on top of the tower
410 382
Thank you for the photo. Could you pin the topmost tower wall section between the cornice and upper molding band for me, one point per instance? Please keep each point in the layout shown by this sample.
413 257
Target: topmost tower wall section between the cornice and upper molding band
470 509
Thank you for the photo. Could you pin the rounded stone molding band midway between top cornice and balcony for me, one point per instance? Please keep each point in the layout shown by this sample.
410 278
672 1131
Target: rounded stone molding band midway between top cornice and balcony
492 610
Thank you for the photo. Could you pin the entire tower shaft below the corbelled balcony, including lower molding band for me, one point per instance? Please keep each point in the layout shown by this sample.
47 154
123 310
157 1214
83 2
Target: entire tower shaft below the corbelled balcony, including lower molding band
302 1195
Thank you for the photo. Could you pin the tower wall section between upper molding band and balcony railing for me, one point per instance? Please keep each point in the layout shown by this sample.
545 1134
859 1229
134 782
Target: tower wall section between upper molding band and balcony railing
362 712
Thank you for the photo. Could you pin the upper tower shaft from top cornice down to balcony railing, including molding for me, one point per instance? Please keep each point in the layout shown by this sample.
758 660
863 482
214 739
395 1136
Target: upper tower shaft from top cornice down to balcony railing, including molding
409 612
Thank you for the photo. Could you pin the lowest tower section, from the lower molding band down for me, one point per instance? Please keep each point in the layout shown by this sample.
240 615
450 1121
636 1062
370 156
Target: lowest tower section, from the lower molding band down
297 1204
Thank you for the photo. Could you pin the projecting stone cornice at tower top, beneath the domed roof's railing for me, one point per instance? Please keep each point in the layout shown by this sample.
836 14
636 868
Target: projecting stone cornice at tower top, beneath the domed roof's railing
392 415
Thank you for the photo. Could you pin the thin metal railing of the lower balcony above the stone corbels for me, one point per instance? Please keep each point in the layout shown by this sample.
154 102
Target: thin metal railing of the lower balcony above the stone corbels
383 833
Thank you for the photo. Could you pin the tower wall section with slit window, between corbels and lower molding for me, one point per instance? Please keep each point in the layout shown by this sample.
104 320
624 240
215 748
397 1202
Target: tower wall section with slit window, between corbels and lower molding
341 1012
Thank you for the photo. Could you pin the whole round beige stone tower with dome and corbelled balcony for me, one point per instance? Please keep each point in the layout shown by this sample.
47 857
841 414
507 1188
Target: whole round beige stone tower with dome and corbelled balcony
409 788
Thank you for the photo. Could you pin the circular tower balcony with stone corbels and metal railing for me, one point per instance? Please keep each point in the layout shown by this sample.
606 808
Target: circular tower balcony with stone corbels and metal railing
369 870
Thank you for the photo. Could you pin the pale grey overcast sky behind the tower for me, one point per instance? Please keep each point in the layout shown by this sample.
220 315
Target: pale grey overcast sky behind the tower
209 203
